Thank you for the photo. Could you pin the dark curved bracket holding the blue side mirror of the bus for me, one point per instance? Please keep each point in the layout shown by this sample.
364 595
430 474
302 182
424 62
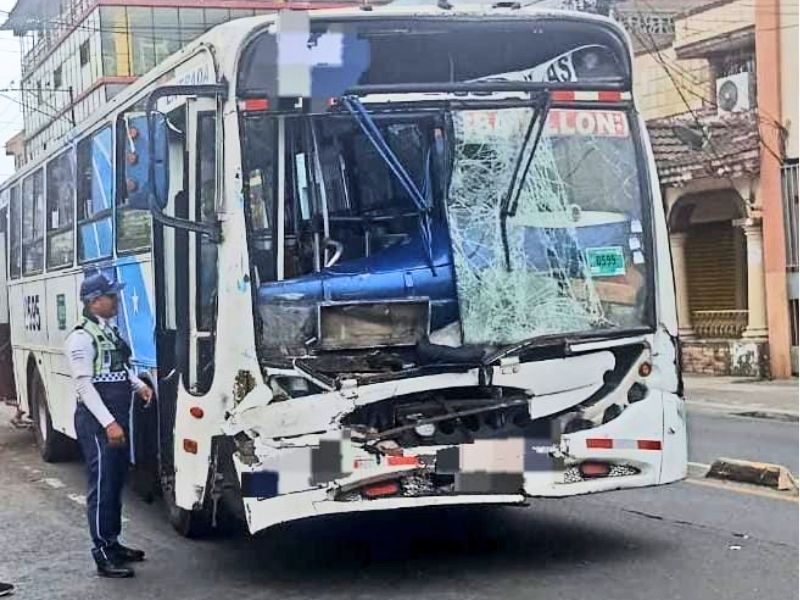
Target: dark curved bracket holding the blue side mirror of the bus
158 156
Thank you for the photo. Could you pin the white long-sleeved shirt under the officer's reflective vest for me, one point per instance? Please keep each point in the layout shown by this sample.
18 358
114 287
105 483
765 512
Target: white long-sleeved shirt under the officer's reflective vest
80 356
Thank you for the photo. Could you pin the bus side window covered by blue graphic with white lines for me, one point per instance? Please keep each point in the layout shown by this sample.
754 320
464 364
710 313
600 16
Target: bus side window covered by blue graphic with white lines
95 187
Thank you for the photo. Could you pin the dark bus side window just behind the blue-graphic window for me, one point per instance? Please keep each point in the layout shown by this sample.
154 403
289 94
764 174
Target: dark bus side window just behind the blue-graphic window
60 202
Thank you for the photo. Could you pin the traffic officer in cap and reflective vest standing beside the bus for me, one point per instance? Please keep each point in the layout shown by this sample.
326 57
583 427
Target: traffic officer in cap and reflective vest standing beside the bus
98 359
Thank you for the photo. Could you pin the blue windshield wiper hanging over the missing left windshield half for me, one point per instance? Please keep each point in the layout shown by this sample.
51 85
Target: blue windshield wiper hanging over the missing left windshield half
374 135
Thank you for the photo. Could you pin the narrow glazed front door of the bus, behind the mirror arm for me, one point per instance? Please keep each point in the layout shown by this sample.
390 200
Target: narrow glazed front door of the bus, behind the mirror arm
186 260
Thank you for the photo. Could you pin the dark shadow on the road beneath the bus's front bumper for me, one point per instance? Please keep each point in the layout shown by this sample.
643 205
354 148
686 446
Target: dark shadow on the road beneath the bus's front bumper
434 543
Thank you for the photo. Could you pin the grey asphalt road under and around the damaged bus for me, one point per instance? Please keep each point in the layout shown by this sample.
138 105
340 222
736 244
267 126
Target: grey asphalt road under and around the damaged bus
691 540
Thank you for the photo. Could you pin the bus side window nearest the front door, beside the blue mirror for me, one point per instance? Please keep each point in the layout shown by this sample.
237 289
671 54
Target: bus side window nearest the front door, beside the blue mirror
133 222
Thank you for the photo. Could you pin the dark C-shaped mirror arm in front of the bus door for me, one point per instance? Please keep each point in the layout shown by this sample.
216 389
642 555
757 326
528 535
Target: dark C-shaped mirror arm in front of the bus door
212 90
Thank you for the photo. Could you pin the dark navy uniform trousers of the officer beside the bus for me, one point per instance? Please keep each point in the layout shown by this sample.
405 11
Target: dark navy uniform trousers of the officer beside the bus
107 466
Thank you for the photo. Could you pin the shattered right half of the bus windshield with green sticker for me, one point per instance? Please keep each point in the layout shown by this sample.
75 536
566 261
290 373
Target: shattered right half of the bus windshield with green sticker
576 253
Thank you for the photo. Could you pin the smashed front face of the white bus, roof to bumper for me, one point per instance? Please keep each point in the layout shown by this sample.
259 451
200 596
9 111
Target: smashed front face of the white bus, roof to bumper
461 282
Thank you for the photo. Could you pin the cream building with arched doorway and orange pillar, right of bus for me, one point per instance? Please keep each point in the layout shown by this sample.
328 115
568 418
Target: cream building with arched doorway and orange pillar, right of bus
719 93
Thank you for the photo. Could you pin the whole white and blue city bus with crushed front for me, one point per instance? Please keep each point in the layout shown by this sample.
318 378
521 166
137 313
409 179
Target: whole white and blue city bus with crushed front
375 258
